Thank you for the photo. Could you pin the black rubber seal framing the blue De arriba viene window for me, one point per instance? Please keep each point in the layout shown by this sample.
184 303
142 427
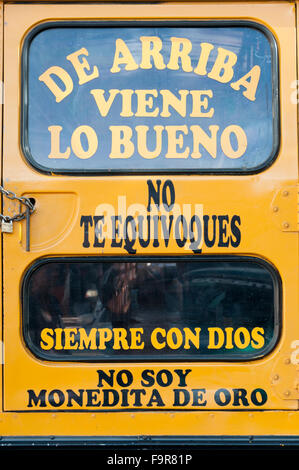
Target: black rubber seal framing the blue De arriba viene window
150 23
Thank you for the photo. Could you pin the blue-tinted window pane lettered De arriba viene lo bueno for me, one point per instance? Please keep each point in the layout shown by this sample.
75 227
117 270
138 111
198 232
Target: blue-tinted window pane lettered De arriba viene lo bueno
150 98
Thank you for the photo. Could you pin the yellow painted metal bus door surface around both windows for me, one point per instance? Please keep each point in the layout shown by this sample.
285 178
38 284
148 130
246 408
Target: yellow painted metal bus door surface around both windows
264 235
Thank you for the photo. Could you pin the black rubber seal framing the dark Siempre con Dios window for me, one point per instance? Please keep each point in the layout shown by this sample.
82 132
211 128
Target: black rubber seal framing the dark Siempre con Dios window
174 358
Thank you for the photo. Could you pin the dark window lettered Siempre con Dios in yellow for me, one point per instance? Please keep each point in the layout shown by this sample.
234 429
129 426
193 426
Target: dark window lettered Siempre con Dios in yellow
211 309
